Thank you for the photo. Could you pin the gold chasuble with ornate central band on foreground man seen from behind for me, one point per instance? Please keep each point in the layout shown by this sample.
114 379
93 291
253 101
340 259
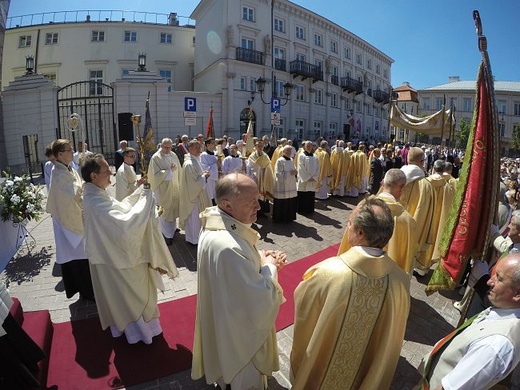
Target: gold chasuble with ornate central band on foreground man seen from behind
350 319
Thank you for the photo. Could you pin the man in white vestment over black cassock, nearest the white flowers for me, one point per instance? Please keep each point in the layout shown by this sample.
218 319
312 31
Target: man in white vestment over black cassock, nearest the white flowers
64 203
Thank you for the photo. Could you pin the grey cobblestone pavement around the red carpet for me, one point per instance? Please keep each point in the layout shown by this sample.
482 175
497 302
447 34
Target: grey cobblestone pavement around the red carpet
33 277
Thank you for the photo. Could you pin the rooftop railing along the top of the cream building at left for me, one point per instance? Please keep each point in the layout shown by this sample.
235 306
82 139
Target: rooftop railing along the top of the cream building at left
85 16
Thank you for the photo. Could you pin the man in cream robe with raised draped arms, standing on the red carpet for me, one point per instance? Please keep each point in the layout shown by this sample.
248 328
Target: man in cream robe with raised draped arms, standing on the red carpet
127 255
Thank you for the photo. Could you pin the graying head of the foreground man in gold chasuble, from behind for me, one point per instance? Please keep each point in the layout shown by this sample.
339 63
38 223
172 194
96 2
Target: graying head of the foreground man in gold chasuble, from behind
375 219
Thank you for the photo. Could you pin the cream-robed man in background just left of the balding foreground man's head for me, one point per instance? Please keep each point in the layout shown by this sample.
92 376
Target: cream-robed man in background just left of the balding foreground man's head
194 197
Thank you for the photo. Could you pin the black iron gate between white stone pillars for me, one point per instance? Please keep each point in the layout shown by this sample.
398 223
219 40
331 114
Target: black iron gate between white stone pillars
94 102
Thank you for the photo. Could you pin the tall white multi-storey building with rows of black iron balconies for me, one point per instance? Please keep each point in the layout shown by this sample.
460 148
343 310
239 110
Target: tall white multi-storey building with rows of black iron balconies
340 82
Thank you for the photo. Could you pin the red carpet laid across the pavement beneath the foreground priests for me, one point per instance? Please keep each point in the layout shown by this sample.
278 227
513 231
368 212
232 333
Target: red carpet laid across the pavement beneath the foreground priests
85 357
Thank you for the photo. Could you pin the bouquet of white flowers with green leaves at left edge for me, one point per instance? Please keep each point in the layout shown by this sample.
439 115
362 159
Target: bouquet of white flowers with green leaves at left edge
20 200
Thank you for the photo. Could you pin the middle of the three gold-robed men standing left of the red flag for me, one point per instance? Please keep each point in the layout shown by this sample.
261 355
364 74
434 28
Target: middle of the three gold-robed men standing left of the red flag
417 198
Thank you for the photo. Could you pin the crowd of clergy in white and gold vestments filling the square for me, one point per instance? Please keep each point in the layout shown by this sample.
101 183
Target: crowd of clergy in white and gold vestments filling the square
351 310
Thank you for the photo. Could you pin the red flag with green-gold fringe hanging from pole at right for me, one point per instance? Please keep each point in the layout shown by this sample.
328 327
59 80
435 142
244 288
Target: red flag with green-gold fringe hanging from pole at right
467 230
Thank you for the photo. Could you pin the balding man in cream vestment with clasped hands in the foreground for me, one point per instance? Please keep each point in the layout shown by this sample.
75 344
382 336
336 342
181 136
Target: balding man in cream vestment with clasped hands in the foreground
238 292
